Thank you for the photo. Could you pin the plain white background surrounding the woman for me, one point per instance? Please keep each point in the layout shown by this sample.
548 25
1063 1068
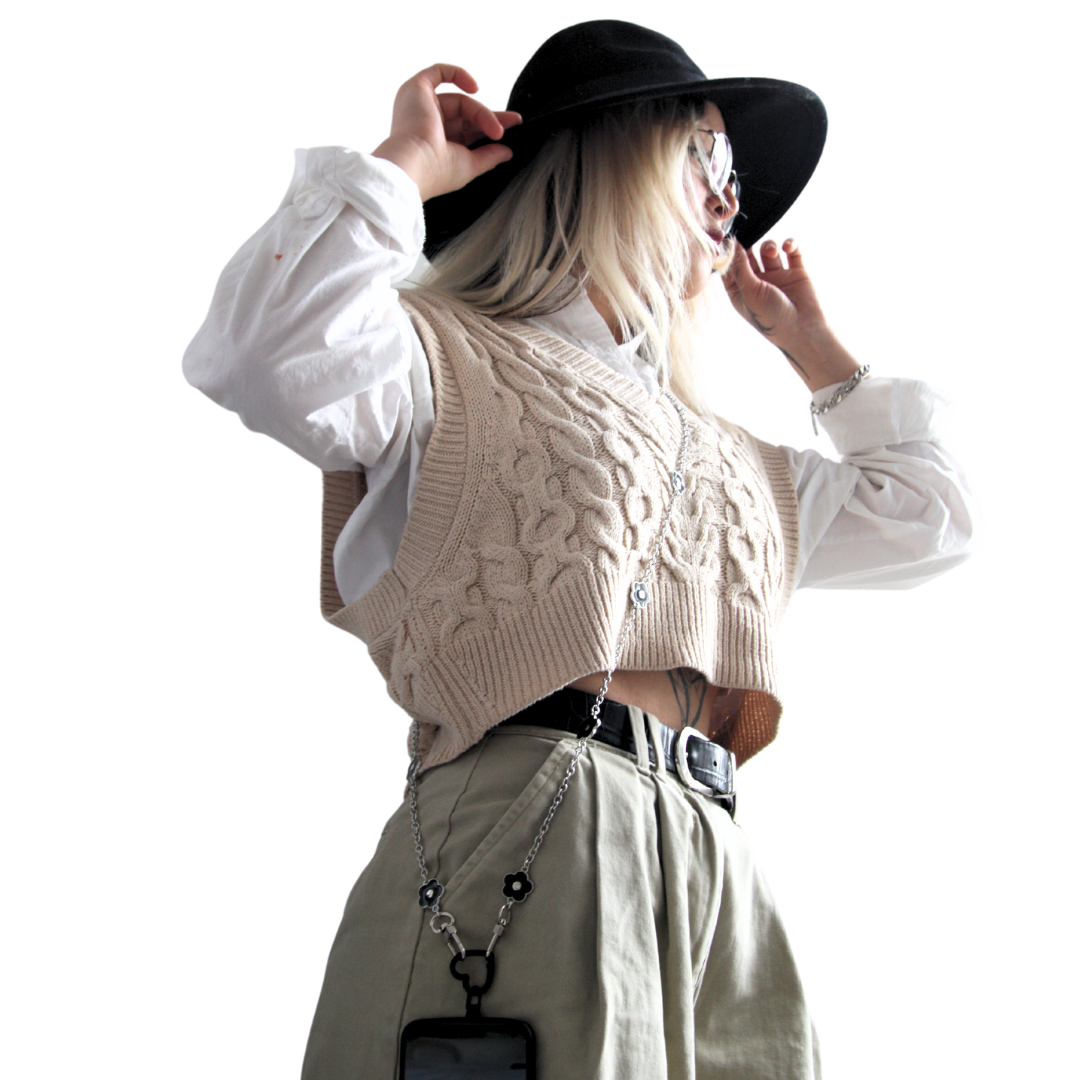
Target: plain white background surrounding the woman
196 768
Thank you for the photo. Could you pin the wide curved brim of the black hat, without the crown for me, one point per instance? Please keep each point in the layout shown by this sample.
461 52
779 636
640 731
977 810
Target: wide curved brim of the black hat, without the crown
777 131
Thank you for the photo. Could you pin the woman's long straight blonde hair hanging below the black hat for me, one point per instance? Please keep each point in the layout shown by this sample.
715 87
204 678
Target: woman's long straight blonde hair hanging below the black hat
605 205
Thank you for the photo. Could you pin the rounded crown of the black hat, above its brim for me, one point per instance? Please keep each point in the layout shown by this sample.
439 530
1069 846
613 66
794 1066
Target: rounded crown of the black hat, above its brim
605 60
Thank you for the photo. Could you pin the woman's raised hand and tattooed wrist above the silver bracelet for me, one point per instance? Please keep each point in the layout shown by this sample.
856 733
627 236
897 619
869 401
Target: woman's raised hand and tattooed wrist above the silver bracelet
780 302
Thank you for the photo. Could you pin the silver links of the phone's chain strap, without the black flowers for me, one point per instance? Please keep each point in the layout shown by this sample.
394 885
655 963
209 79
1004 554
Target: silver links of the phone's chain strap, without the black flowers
582 742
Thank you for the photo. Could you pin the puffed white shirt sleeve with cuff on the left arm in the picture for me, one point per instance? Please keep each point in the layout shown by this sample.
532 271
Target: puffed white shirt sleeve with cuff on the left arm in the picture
305 340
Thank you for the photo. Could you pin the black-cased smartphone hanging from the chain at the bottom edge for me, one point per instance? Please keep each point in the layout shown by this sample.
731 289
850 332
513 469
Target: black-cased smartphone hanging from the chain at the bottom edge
468 1049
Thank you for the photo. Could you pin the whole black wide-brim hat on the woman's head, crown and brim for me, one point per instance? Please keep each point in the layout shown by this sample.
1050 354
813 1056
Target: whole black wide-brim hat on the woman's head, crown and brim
777 129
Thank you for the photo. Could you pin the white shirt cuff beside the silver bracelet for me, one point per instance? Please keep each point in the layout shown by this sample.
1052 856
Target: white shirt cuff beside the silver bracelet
883 412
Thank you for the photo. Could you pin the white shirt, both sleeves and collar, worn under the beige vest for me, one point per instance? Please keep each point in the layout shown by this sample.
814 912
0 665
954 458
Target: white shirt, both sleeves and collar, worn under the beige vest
307 343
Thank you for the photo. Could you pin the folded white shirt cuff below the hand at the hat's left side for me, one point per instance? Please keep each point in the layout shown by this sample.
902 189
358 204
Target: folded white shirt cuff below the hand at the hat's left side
383 193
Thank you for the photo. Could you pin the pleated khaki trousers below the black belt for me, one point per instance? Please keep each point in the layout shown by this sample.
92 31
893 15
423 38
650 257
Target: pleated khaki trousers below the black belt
651 947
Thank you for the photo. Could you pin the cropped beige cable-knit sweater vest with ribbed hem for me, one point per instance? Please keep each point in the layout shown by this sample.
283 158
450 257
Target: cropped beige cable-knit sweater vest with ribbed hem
538 504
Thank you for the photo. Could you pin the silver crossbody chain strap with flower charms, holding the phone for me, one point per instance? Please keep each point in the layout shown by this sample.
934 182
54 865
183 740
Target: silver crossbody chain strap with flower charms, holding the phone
431 890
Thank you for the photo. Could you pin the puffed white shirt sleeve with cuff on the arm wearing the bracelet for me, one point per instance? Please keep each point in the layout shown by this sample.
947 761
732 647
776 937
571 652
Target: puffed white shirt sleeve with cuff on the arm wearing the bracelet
896 510
